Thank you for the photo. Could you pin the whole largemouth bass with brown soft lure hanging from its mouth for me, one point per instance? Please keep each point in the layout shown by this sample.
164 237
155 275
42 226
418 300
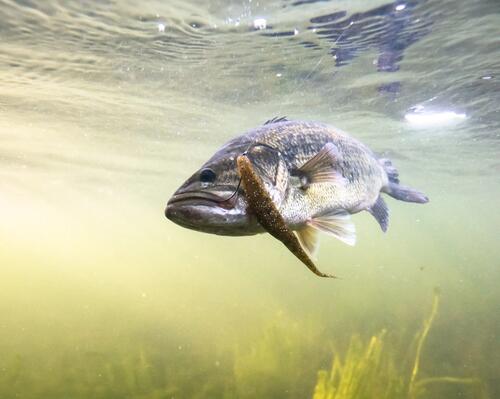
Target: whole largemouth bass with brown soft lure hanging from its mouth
313 174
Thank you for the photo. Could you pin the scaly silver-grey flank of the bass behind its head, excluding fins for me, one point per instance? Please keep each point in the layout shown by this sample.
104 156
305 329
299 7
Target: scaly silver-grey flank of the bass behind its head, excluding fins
300 141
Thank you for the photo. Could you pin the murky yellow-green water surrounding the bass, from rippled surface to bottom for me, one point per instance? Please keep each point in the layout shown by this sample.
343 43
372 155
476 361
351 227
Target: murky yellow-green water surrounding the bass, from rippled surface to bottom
106 107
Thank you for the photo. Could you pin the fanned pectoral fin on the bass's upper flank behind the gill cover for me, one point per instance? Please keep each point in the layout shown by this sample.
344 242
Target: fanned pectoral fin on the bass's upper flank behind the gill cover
321 167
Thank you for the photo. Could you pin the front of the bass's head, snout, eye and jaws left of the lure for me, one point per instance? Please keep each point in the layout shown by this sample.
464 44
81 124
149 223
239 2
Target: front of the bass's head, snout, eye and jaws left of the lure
211 200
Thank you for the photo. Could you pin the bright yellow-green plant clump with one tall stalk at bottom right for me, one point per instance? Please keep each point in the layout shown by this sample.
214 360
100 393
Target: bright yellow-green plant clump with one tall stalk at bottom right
373 370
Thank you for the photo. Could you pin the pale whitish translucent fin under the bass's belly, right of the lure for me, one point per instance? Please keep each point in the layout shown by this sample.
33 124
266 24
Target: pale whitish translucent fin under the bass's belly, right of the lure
336 223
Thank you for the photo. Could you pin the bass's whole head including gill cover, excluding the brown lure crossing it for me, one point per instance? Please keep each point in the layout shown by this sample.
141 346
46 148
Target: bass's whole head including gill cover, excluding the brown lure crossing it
212 199
